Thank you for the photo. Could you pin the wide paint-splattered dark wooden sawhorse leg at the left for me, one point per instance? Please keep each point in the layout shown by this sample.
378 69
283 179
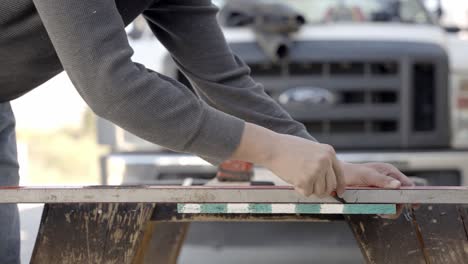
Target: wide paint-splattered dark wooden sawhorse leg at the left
90 233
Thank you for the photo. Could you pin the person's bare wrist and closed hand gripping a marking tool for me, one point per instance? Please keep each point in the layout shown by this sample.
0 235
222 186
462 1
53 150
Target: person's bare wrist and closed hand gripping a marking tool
311 167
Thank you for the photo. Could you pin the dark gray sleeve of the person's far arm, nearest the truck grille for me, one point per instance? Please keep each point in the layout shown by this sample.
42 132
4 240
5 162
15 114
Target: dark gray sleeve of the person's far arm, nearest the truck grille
190 32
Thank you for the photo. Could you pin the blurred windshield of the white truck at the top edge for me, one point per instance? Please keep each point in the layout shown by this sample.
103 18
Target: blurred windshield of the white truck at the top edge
333 11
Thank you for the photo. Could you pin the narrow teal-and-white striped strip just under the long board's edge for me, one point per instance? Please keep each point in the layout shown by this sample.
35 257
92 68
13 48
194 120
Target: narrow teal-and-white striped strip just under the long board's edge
267 208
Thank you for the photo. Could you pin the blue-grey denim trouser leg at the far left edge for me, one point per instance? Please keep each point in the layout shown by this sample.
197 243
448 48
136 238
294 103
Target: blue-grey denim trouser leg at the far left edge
9 216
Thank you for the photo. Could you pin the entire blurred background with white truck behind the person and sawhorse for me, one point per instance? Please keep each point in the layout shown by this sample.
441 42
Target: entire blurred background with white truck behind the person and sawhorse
381 80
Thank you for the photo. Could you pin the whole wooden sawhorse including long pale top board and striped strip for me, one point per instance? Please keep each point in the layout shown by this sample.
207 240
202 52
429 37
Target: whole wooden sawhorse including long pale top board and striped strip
141 224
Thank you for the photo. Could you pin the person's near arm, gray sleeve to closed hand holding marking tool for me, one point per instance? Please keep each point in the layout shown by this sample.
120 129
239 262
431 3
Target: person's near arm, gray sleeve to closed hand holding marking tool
91 43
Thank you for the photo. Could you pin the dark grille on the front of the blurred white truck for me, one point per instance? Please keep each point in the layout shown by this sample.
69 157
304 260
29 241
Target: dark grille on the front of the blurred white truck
381 100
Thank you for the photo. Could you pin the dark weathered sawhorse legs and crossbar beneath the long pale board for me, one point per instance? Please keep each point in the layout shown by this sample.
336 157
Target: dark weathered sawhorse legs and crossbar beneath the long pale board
123 233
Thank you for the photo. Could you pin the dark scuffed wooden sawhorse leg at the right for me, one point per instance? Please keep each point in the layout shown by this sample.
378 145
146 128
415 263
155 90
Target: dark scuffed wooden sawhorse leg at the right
431 234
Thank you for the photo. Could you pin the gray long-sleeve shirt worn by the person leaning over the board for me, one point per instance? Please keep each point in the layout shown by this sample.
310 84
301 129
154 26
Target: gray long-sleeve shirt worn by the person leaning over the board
40 38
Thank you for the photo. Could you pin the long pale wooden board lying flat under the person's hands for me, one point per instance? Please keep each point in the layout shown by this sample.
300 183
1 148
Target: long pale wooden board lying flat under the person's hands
252 194
